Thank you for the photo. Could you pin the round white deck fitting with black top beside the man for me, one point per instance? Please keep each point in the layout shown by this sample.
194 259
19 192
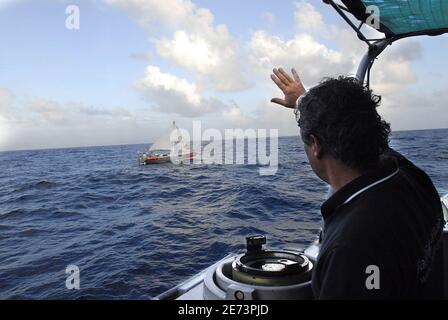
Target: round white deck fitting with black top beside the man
260 274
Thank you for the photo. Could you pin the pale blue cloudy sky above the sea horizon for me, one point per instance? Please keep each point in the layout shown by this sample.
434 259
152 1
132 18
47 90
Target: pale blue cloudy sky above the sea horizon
134 66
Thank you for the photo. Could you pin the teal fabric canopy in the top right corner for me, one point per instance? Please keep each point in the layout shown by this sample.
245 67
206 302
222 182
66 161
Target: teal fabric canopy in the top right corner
402 17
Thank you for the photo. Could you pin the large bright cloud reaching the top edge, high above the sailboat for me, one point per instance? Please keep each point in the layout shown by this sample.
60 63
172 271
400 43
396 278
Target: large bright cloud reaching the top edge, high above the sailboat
197 44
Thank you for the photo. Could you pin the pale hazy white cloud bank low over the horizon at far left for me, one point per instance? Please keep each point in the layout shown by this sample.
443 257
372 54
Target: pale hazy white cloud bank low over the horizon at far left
53 124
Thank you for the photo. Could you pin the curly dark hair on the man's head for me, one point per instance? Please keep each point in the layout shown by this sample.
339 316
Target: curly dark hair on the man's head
342 114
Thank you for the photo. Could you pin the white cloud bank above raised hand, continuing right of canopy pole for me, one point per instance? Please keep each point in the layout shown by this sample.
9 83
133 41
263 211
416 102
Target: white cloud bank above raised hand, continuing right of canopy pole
315 59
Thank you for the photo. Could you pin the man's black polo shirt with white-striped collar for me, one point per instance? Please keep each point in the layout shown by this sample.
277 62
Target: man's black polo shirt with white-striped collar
382 236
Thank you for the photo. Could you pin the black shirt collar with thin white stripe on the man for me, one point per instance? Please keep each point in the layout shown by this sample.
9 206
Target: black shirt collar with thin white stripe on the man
386 170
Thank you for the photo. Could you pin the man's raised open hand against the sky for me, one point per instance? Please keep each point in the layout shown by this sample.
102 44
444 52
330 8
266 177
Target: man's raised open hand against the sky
292 88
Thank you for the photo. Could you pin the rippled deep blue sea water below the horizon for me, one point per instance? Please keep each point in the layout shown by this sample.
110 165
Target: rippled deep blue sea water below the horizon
136 231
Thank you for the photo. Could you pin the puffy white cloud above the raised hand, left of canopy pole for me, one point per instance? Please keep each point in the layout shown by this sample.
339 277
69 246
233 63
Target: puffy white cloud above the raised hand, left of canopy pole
313 58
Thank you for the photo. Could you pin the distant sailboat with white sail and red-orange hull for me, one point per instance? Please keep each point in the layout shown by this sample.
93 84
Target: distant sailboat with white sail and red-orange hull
161 150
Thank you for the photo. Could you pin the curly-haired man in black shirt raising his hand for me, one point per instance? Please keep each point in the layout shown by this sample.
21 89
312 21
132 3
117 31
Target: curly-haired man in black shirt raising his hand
382 233
